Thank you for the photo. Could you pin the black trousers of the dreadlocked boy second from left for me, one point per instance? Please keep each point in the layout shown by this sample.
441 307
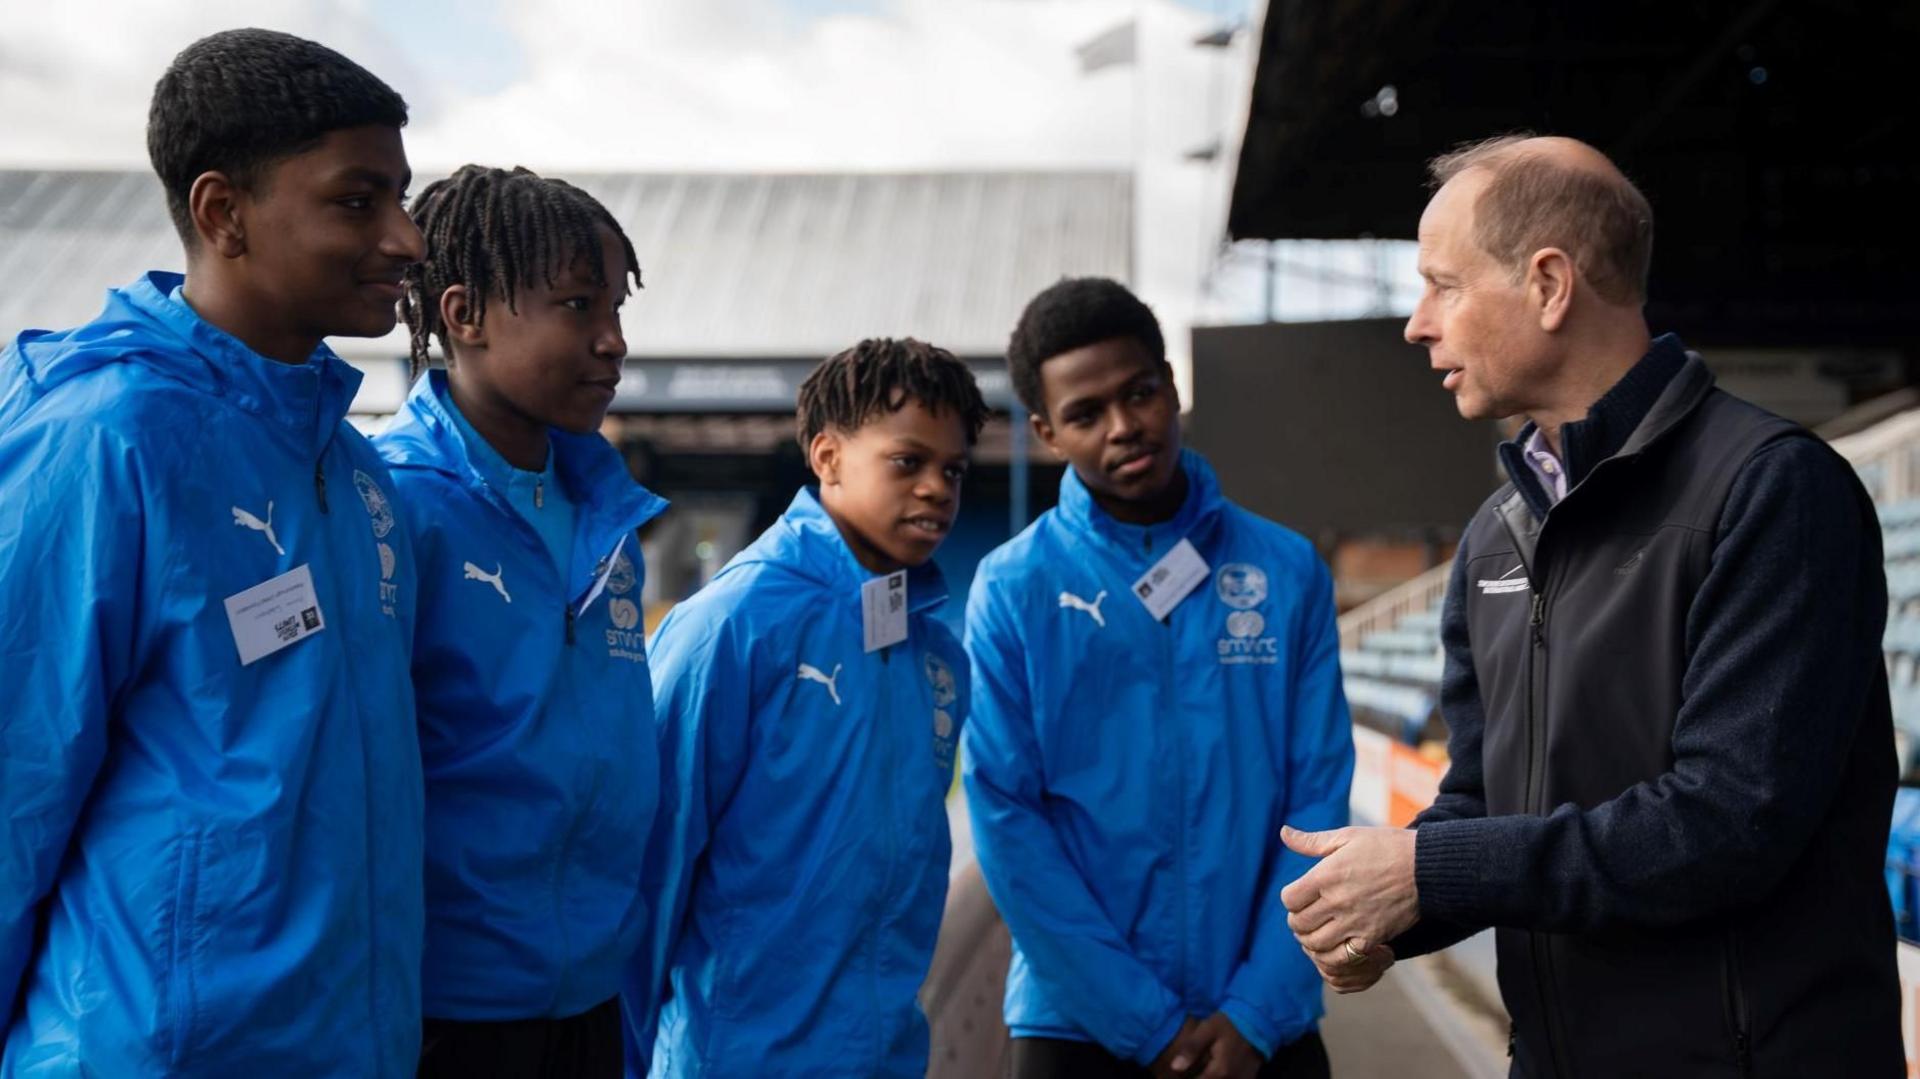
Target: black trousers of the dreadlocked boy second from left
577 1047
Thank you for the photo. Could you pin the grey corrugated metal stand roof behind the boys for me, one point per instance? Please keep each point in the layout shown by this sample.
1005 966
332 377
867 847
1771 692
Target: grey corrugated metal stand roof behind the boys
736 266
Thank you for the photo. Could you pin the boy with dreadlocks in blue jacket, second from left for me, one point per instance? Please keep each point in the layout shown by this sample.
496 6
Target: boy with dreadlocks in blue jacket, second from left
531 675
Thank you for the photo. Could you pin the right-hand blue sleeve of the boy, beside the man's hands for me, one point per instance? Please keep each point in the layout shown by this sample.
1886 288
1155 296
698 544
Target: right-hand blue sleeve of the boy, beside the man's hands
1276 995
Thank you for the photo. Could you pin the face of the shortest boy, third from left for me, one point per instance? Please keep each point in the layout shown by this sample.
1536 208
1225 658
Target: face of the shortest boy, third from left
894 485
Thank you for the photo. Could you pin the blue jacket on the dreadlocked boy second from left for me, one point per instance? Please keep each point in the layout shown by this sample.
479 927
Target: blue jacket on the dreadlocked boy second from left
537 725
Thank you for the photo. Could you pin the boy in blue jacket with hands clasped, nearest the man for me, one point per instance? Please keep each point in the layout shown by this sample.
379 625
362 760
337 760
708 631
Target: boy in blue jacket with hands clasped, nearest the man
1157 692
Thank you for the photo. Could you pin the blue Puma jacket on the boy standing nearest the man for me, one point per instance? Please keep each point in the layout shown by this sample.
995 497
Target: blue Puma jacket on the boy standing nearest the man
1128 779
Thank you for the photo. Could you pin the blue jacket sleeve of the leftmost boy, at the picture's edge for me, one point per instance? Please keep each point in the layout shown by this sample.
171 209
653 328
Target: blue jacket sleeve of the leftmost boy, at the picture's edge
70 546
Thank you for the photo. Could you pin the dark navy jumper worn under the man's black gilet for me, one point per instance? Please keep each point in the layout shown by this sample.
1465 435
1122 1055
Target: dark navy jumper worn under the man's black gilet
1781 627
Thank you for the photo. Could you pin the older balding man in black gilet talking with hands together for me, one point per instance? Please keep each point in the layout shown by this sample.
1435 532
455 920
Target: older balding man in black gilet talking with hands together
1673 754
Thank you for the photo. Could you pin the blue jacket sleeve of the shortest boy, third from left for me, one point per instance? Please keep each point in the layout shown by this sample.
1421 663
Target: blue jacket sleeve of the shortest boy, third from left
702 702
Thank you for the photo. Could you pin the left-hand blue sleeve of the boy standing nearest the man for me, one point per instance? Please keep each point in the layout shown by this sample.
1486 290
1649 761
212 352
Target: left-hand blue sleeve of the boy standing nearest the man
1068 942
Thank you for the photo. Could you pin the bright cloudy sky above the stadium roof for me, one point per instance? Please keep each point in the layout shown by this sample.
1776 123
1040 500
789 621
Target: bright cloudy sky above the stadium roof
750 85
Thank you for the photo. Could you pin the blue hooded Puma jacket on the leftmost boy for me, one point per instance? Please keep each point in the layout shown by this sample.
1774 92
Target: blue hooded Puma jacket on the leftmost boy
210 869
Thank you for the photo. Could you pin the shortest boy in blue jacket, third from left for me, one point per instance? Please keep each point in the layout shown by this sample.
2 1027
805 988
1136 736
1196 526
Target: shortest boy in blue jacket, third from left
809 706
